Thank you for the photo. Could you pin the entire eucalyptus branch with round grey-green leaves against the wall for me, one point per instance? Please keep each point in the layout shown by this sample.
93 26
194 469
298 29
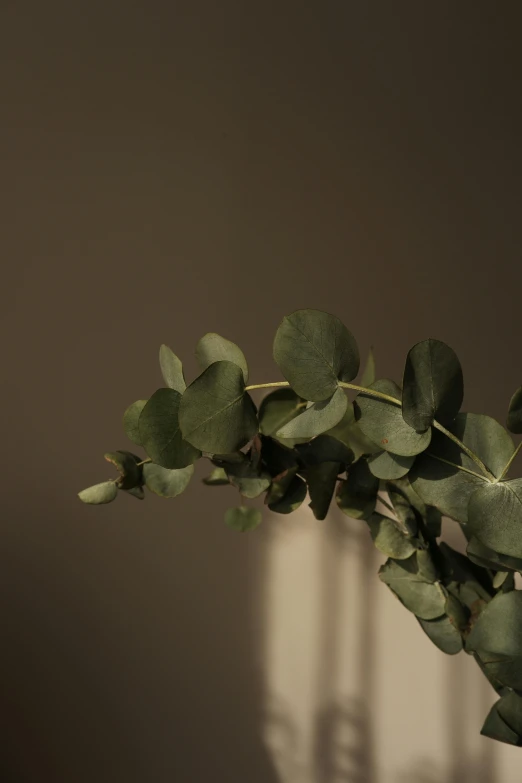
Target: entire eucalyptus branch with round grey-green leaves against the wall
396 457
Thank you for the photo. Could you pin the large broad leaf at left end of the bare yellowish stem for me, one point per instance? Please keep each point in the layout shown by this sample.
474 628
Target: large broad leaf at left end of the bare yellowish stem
216 415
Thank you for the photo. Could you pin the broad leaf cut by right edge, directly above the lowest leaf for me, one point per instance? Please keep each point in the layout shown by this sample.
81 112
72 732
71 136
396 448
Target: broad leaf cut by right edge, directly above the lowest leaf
496 637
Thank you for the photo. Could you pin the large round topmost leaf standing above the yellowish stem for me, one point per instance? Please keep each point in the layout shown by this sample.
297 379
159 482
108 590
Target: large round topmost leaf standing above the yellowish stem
315 351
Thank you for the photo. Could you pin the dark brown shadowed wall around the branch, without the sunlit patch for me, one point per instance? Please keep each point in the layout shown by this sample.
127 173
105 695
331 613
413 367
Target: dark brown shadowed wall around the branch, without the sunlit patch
169 169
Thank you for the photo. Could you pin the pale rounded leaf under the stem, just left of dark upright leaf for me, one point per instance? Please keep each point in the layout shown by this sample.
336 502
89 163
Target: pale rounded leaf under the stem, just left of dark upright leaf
382 422
